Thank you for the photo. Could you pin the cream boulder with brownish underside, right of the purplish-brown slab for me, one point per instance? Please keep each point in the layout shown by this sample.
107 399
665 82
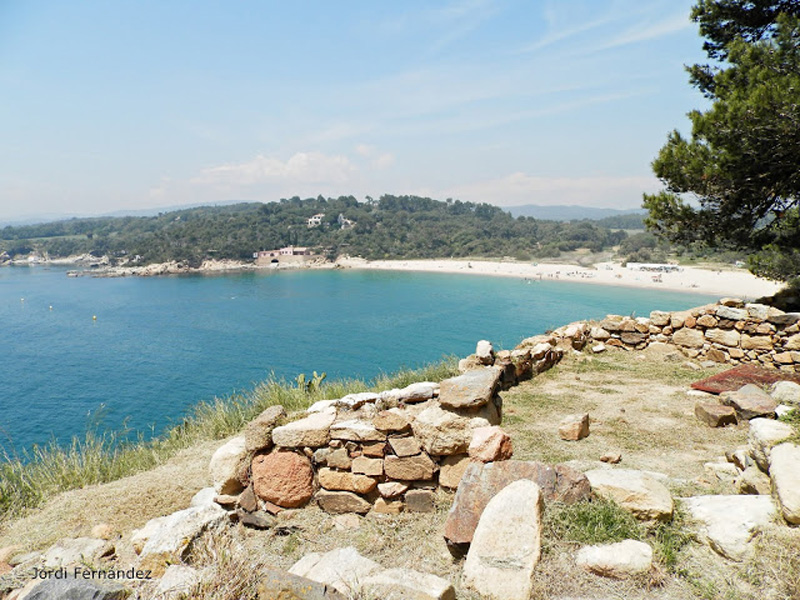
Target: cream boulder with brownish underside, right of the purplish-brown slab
635 491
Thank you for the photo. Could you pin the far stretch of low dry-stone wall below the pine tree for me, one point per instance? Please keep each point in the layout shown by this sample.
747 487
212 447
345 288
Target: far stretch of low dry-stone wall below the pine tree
727 332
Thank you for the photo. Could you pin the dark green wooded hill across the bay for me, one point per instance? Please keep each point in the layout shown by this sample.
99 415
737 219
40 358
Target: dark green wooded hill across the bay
392 227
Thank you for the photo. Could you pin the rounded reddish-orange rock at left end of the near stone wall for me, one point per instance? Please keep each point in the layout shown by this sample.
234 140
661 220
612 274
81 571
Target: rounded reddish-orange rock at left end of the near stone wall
283 478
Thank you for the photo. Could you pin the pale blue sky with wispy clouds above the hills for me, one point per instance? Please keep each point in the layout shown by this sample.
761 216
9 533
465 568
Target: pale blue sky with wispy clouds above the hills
131 105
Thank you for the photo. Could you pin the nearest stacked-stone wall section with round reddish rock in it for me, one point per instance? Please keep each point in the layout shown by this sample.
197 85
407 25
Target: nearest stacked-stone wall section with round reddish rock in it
384 452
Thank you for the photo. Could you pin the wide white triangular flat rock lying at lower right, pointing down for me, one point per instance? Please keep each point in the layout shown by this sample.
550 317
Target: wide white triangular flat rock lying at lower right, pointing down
728 523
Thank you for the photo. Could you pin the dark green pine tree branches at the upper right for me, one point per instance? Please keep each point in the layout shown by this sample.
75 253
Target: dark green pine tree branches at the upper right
740 162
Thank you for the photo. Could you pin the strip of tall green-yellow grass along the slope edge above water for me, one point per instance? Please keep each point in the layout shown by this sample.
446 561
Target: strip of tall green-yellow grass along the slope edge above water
28 480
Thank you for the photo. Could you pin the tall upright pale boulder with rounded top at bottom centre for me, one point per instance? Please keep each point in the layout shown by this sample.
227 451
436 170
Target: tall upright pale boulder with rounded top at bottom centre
507 544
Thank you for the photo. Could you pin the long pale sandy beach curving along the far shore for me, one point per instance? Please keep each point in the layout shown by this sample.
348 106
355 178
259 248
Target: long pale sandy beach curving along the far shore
738 283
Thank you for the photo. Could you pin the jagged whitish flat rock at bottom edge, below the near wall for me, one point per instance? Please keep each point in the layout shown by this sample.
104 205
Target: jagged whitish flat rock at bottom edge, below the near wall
343 569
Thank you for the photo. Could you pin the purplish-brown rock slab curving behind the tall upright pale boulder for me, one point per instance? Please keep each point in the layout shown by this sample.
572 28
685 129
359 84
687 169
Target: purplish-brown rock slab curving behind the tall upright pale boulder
482 481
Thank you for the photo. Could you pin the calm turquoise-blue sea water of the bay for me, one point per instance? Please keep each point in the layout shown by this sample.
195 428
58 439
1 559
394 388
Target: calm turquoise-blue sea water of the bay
161 344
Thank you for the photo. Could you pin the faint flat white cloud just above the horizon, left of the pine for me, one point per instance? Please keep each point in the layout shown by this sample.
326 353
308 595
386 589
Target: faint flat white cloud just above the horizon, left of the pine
521 188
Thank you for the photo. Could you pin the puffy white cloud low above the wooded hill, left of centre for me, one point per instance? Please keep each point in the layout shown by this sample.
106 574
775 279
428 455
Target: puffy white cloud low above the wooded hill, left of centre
306 167
